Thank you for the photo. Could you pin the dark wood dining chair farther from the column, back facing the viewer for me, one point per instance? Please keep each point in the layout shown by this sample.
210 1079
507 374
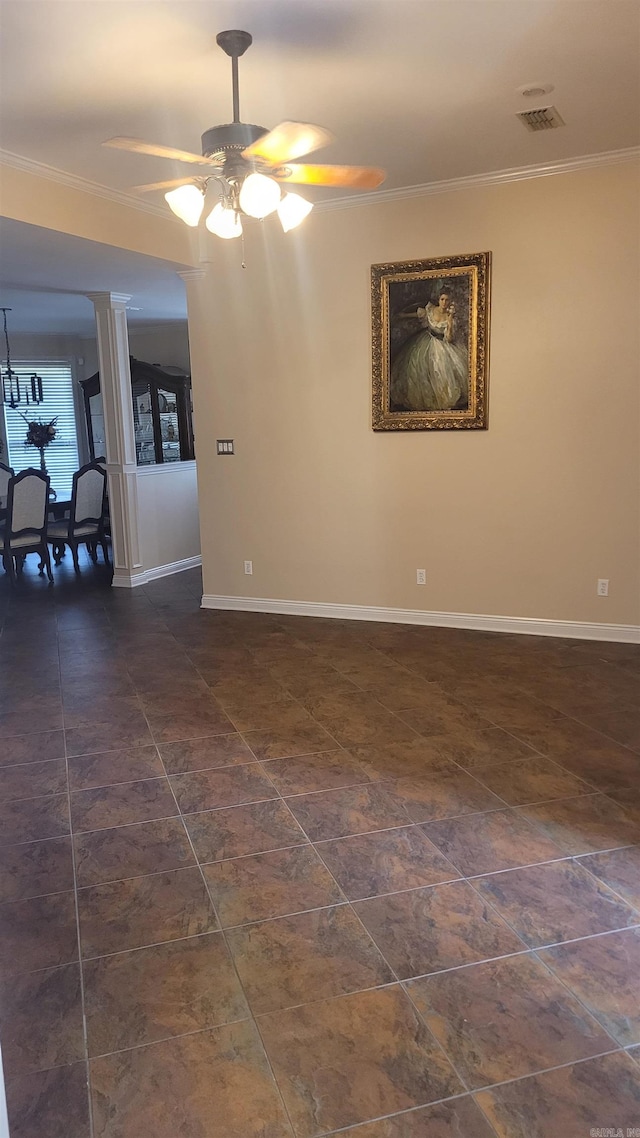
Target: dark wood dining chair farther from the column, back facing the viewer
26 526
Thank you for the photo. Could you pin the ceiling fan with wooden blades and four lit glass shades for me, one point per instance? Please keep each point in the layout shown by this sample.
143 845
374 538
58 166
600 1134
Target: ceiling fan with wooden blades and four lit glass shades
249 163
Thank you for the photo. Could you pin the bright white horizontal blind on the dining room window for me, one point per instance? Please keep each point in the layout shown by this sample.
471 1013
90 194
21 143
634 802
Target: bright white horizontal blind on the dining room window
61 457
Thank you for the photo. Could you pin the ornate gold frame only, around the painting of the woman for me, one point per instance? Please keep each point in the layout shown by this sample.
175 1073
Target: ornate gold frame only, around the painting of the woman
477 268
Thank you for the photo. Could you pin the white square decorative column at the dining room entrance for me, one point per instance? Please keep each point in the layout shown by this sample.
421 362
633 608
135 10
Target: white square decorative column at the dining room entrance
122 467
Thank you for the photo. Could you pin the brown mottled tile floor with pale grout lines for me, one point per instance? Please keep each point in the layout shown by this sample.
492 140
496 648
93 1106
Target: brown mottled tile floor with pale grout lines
281 878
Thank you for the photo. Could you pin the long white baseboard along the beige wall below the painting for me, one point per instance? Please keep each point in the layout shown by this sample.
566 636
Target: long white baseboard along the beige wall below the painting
629 634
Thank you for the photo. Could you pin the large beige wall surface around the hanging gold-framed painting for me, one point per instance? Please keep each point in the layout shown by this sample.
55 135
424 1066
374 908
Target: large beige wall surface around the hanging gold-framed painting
519 521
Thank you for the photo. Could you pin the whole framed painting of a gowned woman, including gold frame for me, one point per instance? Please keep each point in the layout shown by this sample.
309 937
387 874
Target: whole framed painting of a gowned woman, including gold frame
431 343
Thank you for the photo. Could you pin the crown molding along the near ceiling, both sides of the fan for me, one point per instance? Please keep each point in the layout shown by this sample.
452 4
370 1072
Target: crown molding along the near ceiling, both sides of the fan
401 193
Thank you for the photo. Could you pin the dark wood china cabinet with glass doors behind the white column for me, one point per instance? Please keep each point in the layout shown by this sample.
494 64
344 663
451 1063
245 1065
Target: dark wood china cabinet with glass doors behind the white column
162 415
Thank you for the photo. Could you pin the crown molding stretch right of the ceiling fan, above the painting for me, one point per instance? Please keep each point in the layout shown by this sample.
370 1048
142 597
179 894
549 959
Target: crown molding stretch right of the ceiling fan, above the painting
477 182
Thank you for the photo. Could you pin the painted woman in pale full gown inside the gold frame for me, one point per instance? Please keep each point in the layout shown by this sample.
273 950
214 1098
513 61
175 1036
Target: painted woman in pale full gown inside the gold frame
431 373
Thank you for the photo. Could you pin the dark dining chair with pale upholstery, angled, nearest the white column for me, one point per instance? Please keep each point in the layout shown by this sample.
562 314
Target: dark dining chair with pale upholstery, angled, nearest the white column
86 523
